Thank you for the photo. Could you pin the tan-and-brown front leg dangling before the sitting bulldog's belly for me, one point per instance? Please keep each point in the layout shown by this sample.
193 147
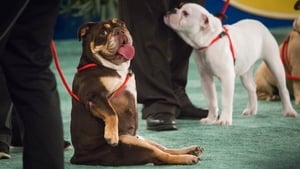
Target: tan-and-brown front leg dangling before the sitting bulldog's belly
110 118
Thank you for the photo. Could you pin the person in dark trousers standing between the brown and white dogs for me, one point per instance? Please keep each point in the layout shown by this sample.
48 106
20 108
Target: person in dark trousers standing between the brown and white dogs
161 63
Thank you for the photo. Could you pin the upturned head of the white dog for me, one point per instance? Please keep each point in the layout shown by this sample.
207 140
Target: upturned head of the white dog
189 18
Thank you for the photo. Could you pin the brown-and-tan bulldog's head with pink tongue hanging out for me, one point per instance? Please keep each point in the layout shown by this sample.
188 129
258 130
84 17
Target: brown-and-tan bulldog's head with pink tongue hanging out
109 39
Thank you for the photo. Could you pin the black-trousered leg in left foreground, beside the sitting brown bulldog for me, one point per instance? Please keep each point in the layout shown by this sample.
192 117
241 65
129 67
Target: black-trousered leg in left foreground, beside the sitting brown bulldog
32 85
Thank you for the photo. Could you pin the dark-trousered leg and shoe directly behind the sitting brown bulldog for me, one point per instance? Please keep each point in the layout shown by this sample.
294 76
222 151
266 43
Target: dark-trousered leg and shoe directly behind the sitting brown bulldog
151 65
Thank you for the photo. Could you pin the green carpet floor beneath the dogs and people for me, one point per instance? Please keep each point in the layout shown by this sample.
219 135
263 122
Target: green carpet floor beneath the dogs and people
267 140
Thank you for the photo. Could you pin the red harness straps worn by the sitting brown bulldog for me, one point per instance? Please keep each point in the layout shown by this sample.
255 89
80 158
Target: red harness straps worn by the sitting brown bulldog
116 92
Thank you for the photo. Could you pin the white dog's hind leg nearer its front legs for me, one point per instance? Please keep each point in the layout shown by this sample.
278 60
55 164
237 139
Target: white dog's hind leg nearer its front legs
249 84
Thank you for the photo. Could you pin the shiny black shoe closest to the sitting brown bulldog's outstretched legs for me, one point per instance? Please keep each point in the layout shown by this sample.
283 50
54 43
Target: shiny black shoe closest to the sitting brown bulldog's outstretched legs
161 123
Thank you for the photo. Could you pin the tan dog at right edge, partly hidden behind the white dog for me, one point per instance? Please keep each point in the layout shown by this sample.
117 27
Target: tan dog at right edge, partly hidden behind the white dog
290 53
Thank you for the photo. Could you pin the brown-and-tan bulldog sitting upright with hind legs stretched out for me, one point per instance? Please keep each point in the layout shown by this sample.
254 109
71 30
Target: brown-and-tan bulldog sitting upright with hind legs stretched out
104 108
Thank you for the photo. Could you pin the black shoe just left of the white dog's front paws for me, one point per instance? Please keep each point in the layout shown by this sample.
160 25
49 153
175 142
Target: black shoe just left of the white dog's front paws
192 112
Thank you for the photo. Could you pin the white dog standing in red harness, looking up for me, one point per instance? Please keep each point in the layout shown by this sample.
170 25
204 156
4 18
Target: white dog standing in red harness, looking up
226 52
